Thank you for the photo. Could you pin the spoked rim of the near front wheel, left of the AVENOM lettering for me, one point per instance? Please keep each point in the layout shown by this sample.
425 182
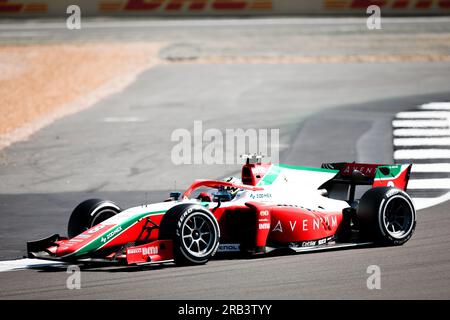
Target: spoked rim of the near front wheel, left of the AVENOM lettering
198 235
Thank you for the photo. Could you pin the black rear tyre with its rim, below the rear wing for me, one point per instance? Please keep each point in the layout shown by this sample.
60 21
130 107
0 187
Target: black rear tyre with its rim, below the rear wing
386 215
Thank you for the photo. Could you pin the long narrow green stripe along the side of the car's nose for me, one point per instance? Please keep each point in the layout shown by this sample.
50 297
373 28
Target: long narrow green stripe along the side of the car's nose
97 243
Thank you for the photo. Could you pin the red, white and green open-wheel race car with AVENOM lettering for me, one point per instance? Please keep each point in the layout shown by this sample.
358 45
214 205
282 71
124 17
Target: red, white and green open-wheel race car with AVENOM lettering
271 208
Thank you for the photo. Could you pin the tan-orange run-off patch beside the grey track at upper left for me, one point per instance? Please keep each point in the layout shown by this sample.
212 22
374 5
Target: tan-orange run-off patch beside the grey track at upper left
40 83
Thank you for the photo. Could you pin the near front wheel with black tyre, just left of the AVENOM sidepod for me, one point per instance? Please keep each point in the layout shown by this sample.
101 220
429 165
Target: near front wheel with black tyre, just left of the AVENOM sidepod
194 231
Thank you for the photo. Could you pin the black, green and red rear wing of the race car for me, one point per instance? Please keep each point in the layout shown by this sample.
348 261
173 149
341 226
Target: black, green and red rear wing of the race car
377 175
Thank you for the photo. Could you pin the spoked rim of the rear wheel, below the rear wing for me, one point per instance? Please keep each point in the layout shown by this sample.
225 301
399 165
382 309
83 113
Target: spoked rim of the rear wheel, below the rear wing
398 217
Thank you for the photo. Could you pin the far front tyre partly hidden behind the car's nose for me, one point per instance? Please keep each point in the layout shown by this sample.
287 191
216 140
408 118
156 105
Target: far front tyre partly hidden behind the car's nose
90 213
